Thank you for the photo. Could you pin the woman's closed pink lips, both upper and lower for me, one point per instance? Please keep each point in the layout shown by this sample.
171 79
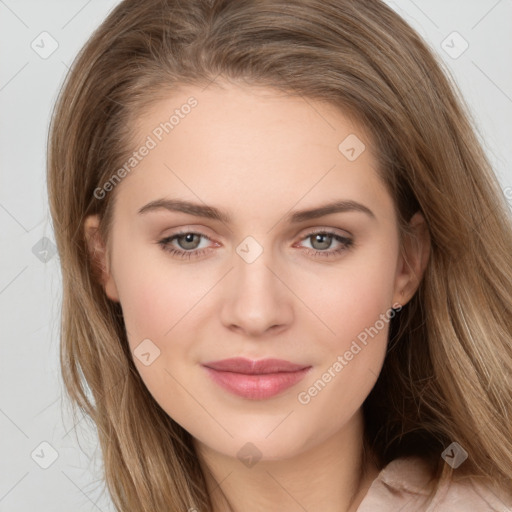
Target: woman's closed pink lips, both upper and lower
255 380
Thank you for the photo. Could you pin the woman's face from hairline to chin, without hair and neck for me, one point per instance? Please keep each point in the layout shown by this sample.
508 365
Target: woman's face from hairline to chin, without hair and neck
254 225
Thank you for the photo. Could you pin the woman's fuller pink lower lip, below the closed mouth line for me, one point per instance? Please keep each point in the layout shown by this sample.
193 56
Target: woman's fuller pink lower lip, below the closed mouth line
256 387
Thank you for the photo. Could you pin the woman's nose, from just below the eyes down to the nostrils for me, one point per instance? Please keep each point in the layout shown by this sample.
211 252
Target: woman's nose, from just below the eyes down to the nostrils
256 301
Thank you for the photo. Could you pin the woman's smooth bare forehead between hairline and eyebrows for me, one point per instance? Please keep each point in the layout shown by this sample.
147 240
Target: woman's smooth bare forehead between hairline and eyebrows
250 147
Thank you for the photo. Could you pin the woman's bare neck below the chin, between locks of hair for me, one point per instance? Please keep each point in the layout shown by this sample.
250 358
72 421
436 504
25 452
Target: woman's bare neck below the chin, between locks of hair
333 476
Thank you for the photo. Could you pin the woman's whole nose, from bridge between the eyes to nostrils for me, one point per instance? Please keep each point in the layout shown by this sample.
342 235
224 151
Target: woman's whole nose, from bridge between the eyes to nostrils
256 299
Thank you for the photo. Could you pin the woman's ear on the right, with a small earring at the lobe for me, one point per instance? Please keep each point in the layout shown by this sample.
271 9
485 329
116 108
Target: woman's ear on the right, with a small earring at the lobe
413 259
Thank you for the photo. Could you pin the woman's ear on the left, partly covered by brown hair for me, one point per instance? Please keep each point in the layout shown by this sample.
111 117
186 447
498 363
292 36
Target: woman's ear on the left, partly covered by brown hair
99 256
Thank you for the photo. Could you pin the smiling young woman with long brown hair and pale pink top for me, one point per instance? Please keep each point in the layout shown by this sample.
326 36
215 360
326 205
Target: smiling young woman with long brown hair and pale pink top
286 263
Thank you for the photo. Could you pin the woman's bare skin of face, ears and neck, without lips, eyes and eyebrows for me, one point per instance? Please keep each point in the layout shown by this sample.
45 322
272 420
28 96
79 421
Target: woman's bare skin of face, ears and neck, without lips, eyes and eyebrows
259 155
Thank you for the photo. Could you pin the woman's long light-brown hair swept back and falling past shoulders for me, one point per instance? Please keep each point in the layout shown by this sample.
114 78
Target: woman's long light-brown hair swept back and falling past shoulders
447 373
